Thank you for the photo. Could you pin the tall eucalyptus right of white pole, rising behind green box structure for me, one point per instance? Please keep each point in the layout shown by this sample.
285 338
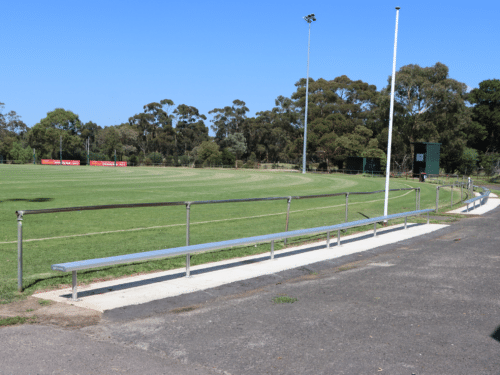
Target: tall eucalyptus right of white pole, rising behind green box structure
431 107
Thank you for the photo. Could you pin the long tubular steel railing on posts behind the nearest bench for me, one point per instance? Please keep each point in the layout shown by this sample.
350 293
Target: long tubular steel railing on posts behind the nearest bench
20 214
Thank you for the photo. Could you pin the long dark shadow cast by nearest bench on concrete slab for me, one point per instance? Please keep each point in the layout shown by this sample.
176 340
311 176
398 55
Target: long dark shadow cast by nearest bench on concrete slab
282 254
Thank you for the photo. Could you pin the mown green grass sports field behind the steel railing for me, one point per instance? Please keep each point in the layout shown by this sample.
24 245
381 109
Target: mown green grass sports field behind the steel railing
62 237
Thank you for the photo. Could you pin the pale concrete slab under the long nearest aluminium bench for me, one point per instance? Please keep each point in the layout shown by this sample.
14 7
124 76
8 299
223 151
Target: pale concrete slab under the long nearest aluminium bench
145 288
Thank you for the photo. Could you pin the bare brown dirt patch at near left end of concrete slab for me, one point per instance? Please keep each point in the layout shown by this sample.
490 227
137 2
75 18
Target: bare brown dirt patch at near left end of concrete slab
50 313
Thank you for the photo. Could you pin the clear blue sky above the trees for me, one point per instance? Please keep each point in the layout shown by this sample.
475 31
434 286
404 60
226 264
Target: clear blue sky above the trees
105 60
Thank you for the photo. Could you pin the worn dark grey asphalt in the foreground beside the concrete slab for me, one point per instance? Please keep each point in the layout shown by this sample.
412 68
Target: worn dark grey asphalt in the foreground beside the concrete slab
429 304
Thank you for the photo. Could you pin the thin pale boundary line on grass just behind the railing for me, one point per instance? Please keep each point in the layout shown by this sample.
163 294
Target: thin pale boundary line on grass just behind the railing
197 222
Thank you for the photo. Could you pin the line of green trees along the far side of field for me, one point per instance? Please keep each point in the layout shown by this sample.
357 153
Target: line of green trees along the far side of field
345 118
